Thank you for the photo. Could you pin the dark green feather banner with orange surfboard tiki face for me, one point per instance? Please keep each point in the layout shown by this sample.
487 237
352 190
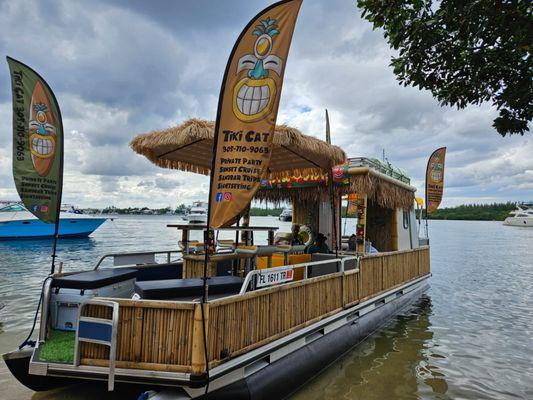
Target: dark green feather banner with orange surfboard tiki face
37 143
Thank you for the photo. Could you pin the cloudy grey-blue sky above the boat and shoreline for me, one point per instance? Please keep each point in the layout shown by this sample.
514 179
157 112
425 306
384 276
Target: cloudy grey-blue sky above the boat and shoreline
127 67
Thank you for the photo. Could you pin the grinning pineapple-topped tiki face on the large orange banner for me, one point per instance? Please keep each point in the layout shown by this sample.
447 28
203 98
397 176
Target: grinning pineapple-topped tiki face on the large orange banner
254 95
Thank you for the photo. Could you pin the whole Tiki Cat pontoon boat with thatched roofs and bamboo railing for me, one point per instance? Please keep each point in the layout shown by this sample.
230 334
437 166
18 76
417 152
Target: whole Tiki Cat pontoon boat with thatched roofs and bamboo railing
274 316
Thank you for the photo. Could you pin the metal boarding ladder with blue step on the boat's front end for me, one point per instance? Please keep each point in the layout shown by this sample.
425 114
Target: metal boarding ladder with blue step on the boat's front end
101 331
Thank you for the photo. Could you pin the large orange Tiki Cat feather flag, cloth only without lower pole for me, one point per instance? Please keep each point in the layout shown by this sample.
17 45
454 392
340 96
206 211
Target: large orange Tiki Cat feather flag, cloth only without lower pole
247 111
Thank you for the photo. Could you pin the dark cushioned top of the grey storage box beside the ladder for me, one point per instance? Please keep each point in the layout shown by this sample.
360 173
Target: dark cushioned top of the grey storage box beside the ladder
94 279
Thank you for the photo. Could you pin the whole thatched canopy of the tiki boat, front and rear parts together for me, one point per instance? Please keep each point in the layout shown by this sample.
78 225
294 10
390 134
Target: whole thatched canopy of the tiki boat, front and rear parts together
298 168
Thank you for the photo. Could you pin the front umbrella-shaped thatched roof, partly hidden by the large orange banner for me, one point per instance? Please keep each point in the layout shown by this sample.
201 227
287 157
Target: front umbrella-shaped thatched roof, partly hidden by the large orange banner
188 147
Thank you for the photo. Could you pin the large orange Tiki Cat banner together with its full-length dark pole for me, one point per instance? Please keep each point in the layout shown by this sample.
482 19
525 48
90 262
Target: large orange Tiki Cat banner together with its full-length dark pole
240 127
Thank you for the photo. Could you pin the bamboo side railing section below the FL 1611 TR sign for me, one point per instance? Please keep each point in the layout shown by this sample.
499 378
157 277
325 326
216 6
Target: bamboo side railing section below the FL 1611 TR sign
240 323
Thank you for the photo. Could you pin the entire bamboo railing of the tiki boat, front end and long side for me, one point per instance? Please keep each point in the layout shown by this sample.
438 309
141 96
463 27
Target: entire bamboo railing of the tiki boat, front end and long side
168 336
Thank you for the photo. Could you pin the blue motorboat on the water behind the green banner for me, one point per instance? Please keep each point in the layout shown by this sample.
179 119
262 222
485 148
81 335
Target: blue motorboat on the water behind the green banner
16 222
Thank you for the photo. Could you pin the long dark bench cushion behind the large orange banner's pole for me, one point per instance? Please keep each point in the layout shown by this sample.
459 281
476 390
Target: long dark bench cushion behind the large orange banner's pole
175 288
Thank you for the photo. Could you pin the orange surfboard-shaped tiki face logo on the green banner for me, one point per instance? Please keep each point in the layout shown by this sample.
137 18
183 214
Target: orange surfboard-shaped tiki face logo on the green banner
42 131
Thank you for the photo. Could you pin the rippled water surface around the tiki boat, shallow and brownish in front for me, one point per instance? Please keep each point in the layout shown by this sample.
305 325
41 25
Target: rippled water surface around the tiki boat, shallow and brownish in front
470 337
